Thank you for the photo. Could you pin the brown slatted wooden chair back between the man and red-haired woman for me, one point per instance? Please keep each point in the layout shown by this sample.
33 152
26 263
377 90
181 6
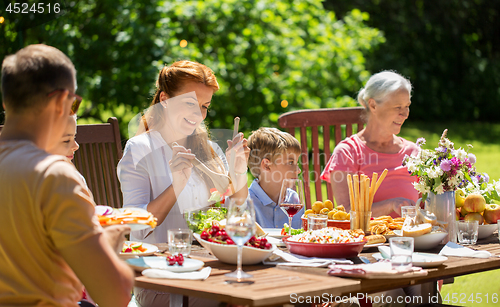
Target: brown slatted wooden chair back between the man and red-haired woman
97 159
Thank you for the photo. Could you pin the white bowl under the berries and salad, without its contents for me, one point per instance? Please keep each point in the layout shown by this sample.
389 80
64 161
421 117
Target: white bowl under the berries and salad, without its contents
228 253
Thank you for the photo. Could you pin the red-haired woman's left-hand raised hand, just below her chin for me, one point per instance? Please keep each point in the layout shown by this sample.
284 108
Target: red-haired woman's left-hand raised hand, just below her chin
181 167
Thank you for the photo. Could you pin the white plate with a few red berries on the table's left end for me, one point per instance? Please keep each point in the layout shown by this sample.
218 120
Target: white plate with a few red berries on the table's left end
161 263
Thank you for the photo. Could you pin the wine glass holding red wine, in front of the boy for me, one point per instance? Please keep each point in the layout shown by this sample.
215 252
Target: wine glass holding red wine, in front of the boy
291 199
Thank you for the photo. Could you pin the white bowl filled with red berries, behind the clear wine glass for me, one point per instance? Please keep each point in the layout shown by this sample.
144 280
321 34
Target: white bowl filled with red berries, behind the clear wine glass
216 240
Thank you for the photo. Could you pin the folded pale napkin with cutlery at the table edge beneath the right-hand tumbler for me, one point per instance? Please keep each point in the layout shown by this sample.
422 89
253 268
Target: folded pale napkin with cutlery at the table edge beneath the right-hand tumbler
382 269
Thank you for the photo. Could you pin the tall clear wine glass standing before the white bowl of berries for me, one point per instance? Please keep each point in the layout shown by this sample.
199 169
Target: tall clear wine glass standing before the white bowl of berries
240 226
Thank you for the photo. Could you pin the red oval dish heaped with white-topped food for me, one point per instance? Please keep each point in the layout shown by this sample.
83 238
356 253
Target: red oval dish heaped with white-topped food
327 243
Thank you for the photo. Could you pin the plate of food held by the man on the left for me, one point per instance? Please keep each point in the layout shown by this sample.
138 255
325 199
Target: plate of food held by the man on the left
136 218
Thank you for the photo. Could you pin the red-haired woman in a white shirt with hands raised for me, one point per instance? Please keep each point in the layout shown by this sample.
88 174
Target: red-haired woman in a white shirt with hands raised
156 172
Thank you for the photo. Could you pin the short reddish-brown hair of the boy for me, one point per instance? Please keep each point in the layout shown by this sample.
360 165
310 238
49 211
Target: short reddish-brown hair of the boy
269 143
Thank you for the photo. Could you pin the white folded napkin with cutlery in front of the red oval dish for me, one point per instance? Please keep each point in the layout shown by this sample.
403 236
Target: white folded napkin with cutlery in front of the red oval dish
290 259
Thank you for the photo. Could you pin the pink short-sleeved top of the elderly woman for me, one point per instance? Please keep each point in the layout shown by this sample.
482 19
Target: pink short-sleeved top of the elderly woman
353 156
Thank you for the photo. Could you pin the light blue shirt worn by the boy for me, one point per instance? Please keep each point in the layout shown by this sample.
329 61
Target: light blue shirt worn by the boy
267 212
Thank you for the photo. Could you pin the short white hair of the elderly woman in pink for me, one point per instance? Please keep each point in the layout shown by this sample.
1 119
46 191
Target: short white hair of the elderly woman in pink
381 85
